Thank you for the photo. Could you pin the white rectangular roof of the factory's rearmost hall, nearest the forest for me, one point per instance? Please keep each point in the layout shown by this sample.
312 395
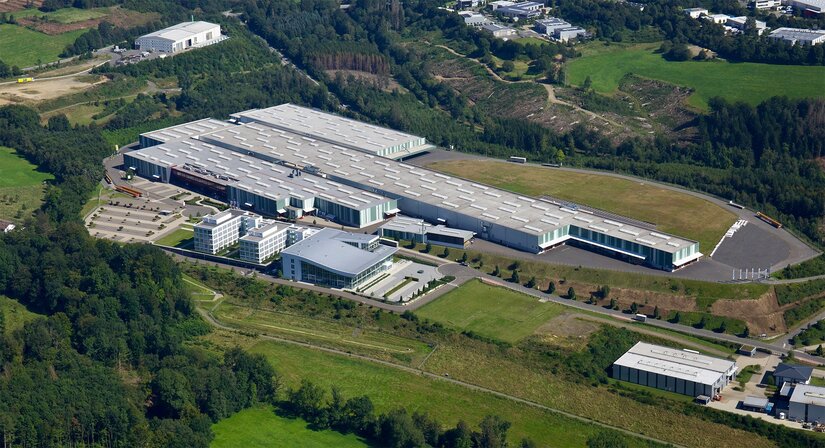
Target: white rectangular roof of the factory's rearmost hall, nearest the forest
328 127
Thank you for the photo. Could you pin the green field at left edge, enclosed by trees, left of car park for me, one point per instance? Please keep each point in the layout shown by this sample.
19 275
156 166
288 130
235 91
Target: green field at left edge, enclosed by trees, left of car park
21 185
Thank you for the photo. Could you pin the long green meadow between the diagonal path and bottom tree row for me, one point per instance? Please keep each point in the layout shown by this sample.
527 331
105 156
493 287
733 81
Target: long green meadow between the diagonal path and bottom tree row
389 388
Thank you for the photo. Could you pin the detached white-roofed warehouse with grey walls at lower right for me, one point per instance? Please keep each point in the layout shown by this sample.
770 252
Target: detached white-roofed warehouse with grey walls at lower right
681 371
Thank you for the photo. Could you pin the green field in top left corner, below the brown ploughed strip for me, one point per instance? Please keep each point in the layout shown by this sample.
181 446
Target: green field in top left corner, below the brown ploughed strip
24 48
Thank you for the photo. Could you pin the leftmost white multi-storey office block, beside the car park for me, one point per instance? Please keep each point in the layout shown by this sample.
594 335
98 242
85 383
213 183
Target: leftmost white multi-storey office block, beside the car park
221 230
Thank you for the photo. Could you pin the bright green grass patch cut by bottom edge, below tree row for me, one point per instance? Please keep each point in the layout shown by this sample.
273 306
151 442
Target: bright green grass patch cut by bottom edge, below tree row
261 428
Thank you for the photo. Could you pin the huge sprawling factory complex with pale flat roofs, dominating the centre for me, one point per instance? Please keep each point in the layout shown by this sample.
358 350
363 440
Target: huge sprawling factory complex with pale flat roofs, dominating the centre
290 161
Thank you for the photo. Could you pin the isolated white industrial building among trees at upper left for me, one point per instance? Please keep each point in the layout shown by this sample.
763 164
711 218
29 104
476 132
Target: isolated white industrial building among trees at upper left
180 37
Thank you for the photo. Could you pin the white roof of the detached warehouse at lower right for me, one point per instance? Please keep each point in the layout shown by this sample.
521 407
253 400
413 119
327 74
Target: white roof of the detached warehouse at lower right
683 364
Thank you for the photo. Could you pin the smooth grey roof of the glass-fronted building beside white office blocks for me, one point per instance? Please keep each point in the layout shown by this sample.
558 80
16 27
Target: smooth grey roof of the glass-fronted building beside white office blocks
328 249
